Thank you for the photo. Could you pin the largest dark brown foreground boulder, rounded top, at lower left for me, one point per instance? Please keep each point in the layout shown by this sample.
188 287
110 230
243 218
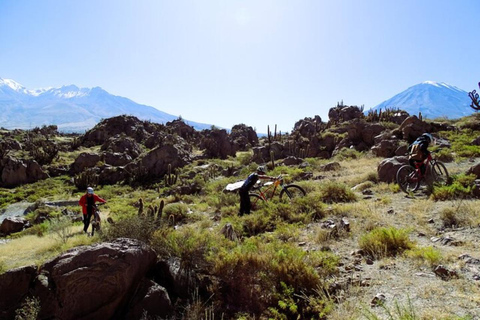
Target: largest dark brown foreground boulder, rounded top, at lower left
93 282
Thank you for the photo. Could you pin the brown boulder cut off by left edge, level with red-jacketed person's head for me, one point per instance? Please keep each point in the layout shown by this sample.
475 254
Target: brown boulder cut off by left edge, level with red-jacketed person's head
15 172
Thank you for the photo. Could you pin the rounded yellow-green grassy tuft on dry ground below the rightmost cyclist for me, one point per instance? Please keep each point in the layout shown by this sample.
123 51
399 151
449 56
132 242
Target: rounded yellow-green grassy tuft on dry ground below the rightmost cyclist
385 242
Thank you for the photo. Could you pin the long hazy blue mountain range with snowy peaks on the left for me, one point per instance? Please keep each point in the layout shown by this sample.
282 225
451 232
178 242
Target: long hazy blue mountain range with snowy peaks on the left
71 108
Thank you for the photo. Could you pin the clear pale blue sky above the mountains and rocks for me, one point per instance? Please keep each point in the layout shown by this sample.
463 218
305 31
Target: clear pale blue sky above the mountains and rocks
255 62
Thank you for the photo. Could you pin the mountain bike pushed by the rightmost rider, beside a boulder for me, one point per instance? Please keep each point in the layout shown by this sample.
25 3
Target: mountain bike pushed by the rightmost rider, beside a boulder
409 178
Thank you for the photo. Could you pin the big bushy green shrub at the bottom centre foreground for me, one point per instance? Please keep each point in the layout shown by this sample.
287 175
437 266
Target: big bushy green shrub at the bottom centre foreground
277 278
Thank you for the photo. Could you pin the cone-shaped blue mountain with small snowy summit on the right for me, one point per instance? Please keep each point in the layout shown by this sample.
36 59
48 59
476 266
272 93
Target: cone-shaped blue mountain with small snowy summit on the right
432 99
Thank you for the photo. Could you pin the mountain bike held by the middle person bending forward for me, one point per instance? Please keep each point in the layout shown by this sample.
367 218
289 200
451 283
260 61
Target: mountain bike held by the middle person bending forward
266 191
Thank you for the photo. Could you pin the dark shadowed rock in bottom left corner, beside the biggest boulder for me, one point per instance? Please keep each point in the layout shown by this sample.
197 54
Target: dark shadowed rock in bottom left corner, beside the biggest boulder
14 287
